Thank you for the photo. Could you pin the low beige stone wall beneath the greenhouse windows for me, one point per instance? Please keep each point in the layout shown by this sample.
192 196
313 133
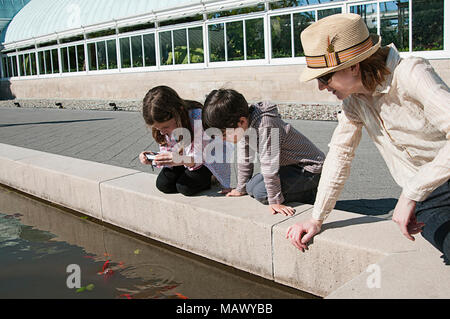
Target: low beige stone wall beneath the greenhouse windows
274 83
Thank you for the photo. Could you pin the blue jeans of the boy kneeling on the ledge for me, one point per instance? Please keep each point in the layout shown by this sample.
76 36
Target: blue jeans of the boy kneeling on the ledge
297 185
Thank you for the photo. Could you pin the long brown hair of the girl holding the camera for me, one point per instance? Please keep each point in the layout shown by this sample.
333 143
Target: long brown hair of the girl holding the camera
162 104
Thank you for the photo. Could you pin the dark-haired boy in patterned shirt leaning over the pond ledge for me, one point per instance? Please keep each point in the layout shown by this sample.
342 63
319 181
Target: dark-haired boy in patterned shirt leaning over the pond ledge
290 163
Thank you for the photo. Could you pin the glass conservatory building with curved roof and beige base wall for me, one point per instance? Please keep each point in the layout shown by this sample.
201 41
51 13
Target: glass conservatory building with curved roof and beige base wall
113 50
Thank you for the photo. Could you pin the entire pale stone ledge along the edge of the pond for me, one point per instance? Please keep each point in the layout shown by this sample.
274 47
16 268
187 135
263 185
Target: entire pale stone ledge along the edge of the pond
239 232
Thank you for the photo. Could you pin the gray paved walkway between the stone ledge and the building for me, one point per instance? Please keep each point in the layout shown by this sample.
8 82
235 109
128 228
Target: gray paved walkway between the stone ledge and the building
117 138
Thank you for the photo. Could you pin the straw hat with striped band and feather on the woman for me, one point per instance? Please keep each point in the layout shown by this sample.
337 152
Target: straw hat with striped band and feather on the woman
335 43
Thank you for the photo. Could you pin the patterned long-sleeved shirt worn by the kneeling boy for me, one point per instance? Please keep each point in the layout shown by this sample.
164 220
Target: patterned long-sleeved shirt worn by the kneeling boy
277 144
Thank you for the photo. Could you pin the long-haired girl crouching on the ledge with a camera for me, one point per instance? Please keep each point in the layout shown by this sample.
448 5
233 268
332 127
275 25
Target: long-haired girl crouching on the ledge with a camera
181 158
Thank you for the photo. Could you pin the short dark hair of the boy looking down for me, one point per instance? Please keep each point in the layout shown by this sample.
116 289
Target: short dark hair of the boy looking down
223 109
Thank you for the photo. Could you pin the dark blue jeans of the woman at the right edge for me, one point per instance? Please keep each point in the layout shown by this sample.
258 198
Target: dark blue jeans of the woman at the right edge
435 213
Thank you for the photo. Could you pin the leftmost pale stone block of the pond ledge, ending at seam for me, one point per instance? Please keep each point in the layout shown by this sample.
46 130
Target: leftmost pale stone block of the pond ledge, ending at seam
72 183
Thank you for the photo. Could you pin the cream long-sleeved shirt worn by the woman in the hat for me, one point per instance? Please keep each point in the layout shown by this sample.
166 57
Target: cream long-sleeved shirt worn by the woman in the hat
408 119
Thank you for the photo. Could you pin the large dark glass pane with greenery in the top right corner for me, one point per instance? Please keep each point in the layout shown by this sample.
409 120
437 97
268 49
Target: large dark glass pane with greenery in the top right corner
428 25
